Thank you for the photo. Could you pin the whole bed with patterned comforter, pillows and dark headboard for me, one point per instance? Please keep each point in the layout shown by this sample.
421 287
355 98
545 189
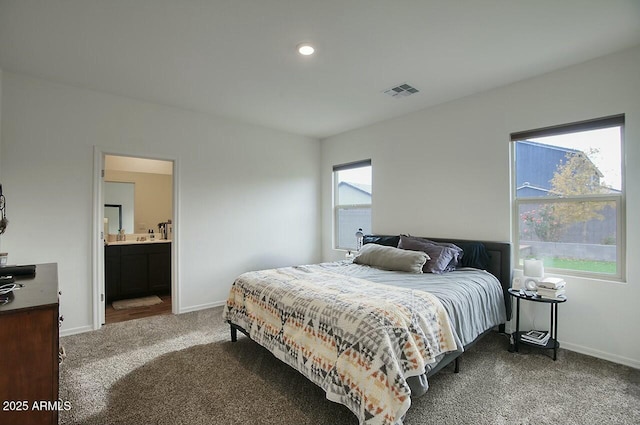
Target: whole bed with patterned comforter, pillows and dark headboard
370 335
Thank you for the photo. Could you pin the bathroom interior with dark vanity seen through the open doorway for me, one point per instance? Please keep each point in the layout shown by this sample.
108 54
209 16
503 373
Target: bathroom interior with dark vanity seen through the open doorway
138 229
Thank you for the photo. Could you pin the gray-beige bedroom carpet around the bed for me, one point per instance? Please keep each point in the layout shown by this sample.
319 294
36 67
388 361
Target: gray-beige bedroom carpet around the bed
184 370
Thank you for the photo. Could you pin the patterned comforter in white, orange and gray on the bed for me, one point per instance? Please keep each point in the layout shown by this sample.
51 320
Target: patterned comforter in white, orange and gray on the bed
358 340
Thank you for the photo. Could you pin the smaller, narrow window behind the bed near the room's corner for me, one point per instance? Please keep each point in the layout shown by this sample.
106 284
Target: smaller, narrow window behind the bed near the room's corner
352 202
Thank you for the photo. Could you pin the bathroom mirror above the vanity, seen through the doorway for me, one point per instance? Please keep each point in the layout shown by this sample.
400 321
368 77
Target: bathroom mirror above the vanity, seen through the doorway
119 206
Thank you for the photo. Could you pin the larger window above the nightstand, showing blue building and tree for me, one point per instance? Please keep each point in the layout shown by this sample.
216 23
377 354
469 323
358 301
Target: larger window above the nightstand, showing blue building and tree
569 197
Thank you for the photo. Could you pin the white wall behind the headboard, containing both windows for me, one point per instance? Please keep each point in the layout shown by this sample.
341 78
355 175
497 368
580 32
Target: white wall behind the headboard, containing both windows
445 172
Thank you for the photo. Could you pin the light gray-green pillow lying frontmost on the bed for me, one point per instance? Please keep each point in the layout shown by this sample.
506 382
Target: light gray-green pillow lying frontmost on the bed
390 258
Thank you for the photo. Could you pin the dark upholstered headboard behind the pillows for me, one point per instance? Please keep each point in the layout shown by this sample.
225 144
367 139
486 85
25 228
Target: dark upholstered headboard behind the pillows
499 254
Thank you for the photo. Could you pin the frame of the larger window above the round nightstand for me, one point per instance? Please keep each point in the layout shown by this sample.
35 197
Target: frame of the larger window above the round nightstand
618 199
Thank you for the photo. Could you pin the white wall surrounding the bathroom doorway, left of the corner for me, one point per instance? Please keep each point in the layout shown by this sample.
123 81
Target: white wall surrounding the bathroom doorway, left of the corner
248 195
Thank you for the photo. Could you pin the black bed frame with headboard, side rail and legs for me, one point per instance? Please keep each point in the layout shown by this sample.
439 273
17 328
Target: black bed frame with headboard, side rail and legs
500 266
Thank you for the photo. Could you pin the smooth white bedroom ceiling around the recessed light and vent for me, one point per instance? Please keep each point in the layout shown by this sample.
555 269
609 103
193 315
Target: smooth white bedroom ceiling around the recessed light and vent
237 58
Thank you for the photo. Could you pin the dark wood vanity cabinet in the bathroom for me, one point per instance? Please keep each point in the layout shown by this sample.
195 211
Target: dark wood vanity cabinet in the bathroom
137 270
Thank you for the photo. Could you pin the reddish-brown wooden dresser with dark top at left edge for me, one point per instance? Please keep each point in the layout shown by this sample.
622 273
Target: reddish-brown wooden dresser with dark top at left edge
29 350
